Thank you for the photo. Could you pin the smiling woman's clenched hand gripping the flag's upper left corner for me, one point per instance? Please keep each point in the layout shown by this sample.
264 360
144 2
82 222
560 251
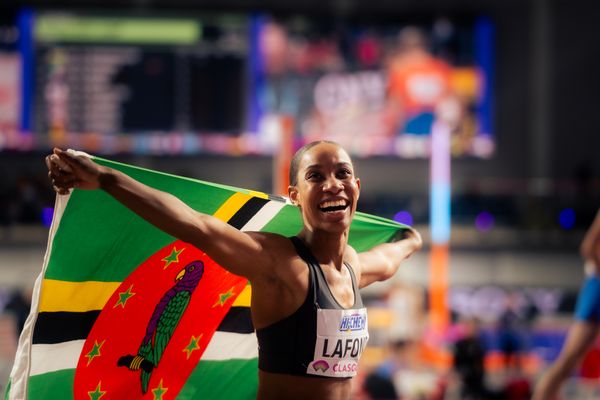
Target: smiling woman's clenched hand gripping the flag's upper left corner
67 170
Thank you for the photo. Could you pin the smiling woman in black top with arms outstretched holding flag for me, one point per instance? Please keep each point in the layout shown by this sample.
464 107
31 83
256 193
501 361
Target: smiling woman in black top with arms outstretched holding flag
306 307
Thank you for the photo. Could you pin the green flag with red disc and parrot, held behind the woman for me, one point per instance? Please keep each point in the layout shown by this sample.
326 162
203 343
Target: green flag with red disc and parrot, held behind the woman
122 310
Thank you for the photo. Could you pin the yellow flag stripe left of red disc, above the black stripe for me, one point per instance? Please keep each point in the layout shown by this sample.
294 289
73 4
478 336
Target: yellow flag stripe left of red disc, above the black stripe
75 296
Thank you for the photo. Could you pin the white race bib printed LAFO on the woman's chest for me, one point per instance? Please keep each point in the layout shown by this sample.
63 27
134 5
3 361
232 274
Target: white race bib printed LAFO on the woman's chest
341 338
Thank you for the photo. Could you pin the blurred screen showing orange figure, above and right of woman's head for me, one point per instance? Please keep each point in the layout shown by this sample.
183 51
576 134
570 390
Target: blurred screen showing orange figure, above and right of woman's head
378 87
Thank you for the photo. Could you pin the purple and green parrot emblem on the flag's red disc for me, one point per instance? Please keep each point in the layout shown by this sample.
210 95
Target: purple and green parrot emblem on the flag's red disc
163 322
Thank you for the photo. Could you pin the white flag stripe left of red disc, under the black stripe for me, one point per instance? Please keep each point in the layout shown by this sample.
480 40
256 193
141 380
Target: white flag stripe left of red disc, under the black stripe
54 357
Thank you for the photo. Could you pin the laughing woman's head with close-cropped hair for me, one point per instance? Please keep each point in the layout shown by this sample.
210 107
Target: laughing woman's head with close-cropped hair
327 190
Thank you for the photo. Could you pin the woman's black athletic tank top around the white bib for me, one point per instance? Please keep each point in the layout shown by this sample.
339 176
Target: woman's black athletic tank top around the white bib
287 346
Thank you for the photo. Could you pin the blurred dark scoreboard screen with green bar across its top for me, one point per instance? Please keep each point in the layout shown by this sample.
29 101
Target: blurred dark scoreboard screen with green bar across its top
108 75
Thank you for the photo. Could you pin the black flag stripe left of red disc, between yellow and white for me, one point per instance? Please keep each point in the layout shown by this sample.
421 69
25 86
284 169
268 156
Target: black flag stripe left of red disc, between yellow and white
57 327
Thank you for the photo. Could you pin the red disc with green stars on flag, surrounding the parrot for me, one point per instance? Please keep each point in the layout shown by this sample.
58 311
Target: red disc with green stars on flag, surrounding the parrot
123 323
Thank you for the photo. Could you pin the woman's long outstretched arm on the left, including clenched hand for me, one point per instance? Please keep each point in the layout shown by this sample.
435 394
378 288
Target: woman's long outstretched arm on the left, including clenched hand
228 246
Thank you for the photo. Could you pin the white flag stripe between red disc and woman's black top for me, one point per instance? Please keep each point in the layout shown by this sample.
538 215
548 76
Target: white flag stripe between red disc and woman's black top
228 345
